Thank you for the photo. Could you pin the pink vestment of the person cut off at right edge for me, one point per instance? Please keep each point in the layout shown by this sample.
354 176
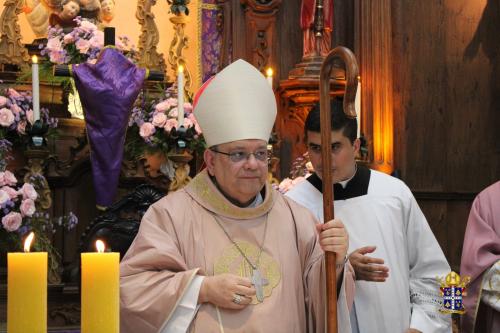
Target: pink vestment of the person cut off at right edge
481 250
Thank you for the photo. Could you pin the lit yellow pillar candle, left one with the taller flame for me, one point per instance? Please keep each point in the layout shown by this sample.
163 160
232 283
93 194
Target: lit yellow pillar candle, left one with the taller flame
27 291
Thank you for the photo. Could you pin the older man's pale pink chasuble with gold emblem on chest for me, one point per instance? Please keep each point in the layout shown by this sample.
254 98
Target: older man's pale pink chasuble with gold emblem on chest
180 239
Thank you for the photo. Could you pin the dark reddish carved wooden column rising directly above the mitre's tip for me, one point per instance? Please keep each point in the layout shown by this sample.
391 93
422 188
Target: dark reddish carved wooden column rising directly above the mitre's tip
260 32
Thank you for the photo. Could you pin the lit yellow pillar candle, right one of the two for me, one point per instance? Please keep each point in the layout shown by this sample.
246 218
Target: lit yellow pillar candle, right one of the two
100 291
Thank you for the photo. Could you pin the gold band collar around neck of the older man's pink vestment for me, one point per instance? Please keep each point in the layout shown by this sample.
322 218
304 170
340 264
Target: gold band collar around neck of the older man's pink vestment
206 190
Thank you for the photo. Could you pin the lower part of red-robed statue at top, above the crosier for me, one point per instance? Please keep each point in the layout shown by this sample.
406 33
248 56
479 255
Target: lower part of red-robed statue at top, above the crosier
307 15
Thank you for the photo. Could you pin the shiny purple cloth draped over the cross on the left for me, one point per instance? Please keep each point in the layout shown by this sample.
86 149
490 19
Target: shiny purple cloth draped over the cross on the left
107 91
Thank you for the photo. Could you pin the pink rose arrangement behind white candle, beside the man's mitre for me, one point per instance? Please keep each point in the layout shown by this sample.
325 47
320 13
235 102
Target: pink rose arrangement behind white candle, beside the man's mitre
153 127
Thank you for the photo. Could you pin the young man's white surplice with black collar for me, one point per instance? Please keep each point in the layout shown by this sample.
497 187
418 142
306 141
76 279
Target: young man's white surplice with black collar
379 210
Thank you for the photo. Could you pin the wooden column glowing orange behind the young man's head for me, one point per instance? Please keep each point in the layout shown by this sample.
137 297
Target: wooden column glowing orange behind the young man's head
374 50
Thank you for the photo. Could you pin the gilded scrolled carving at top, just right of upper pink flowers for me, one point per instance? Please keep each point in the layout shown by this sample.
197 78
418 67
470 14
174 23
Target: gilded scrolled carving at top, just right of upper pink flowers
149 38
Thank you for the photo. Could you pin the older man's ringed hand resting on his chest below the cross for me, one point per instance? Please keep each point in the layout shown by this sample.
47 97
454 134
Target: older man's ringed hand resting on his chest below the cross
226 291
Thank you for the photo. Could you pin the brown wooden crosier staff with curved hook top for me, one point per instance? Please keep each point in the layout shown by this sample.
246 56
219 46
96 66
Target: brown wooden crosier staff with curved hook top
351 74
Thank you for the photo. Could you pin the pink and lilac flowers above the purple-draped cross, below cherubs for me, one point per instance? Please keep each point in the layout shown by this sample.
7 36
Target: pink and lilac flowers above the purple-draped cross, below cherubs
80 45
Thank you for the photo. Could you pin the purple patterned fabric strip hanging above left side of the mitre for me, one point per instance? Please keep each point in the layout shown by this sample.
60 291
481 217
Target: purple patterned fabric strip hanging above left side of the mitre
211 40
